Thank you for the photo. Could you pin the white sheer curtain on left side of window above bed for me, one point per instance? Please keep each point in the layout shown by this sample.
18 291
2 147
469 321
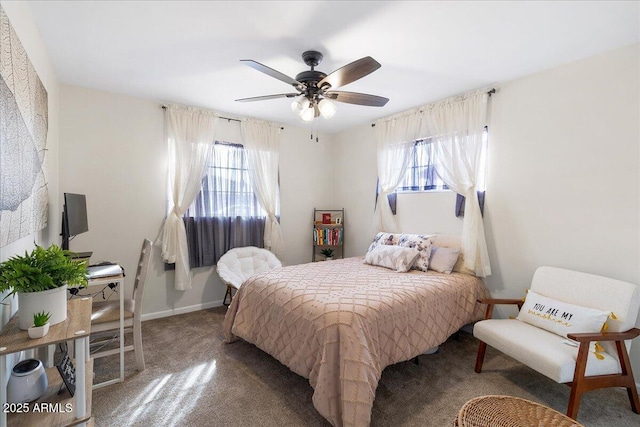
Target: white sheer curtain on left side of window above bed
395 136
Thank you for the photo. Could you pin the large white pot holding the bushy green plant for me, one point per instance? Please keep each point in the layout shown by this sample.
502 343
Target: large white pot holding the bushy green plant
53 301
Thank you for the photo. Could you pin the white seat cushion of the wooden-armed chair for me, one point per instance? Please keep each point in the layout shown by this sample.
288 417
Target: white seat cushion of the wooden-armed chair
541 350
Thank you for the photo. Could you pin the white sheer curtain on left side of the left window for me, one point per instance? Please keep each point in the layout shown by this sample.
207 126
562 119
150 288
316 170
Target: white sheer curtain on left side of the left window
191 135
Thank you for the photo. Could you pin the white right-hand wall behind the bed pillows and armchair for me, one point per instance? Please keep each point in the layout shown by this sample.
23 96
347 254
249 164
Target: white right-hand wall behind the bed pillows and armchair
564 177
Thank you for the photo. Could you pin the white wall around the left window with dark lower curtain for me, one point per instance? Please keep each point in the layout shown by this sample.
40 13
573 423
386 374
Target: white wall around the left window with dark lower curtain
113 150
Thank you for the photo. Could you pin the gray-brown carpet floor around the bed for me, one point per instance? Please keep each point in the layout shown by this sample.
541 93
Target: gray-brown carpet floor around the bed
193 379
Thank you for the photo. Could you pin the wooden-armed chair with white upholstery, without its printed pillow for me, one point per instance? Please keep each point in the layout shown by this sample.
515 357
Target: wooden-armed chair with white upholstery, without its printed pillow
550 355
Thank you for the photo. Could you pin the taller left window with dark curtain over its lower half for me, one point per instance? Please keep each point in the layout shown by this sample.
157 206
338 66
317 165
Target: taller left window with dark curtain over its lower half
226 212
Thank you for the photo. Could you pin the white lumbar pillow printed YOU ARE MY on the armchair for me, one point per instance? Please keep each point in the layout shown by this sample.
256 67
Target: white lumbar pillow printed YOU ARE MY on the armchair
560 317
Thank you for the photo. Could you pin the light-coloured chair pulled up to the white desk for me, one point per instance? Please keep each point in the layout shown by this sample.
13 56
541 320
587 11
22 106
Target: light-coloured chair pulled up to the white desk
105 316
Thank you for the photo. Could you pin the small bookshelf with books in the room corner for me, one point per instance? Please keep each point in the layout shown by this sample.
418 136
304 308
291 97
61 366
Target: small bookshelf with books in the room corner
328 233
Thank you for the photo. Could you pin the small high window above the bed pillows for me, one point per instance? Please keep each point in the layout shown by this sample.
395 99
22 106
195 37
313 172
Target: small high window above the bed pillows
421 174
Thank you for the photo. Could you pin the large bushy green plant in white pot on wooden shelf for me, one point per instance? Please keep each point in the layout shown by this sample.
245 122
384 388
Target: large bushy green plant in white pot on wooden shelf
40 279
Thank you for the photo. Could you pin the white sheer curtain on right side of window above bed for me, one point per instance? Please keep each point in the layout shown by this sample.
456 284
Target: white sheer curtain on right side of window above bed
456 127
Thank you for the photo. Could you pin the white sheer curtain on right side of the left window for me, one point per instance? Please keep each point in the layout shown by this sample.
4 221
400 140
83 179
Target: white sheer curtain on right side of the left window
261 140
